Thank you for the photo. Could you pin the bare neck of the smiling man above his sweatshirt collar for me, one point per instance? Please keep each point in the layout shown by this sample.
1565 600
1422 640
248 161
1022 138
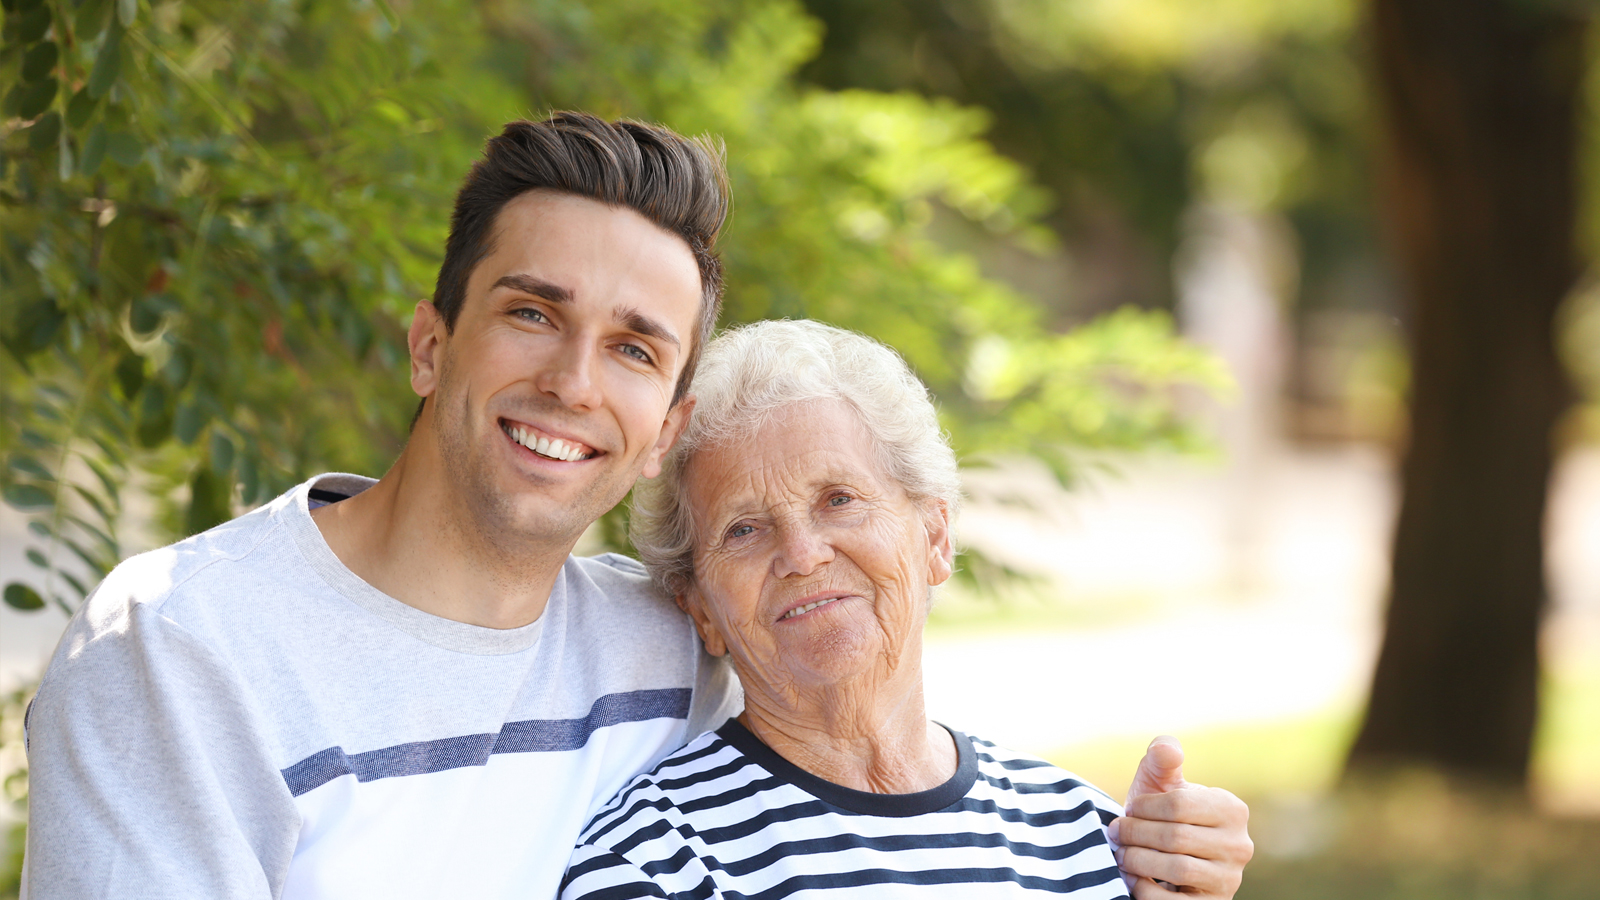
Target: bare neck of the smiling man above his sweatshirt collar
414 539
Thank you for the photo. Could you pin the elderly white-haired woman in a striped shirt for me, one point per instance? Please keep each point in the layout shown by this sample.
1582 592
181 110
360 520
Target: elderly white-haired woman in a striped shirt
804 521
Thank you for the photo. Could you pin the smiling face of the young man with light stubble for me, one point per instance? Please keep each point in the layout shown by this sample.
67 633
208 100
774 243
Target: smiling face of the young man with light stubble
554 392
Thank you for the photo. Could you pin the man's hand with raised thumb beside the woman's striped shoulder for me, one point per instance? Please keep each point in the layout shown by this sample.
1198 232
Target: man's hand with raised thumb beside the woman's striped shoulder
1180 838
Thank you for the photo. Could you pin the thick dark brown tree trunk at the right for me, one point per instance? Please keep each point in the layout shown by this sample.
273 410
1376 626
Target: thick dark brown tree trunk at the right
1481 105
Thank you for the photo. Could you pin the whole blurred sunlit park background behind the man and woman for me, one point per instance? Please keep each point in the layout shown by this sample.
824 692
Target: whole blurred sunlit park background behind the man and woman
1266 332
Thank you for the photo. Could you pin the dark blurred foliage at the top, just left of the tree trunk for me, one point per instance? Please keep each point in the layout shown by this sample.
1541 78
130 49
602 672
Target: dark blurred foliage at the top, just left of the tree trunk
1130 111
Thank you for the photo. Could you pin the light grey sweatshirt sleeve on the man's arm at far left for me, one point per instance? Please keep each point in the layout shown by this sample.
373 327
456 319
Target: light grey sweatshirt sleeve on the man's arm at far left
150 771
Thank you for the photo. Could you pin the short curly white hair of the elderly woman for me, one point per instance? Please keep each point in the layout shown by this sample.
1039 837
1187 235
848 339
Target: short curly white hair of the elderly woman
751 374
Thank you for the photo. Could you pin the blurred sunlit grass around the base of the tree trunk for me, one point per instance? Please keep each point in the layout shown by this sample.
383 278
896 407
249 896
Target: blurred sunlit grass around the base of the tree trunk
1407 840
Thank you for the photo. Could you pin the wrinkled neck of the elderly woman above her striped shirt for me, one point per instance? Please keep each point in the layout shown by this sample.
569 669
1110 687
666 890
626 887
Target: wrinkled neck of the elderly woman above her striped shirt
860 737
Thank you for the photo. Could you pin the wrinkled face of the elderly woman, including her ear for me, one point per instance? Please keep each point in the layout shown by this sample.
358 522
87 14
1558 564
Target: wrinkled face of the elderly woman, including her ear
812 566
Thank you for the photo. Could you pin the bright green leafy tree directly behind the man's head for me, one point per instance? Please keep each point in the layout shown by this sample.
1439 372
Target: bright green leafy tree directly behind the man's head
217 217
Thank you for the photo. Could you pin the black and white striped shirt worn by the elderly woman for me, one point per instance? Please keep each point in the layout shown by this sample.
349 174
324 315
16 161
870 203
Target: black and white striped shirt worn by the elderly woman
729 818
